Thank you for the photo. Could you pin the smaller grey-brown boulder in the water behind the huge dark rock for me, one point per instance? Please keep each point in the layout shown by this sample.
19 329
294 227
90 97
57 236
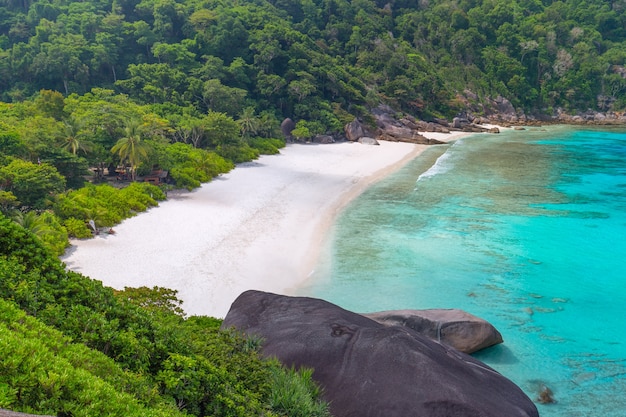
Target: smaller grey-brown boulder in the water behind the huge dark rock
455 328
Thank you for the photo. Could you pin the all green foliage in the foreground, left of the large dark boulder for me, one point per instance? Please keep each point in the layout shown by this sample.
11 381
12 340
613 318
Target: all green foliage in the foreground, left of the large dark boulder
70 346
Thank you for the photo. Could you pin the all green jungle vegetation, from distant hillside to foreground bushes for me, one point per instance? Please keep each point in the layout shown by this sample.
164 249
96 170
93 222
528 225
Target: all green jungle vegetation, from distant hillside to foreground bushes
107 105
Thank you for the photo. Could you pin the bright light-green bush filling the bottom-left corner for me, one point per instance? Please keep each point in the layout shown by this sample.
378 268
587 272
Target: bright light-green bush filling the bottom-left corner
43 371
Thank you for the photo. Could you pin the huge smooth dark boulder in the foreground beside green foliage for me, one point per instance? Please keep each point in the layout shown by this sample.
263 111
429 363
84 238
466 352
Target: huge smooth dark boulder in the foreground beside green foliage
367 369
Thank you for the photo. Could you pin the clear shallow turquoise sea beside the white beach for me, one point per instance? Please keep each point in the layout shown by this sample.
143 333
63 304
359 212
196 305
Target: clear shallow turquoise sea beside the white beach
526 229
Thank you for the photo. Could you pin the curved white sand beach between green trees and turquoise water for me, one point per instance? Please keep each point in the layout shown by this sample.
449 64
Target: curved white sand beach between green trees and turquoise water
260 226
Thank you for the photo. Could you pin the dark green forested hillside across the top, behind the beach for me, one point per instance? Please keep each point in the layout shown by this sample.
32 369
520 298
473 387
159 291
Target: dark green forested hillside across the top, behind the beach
317 59
